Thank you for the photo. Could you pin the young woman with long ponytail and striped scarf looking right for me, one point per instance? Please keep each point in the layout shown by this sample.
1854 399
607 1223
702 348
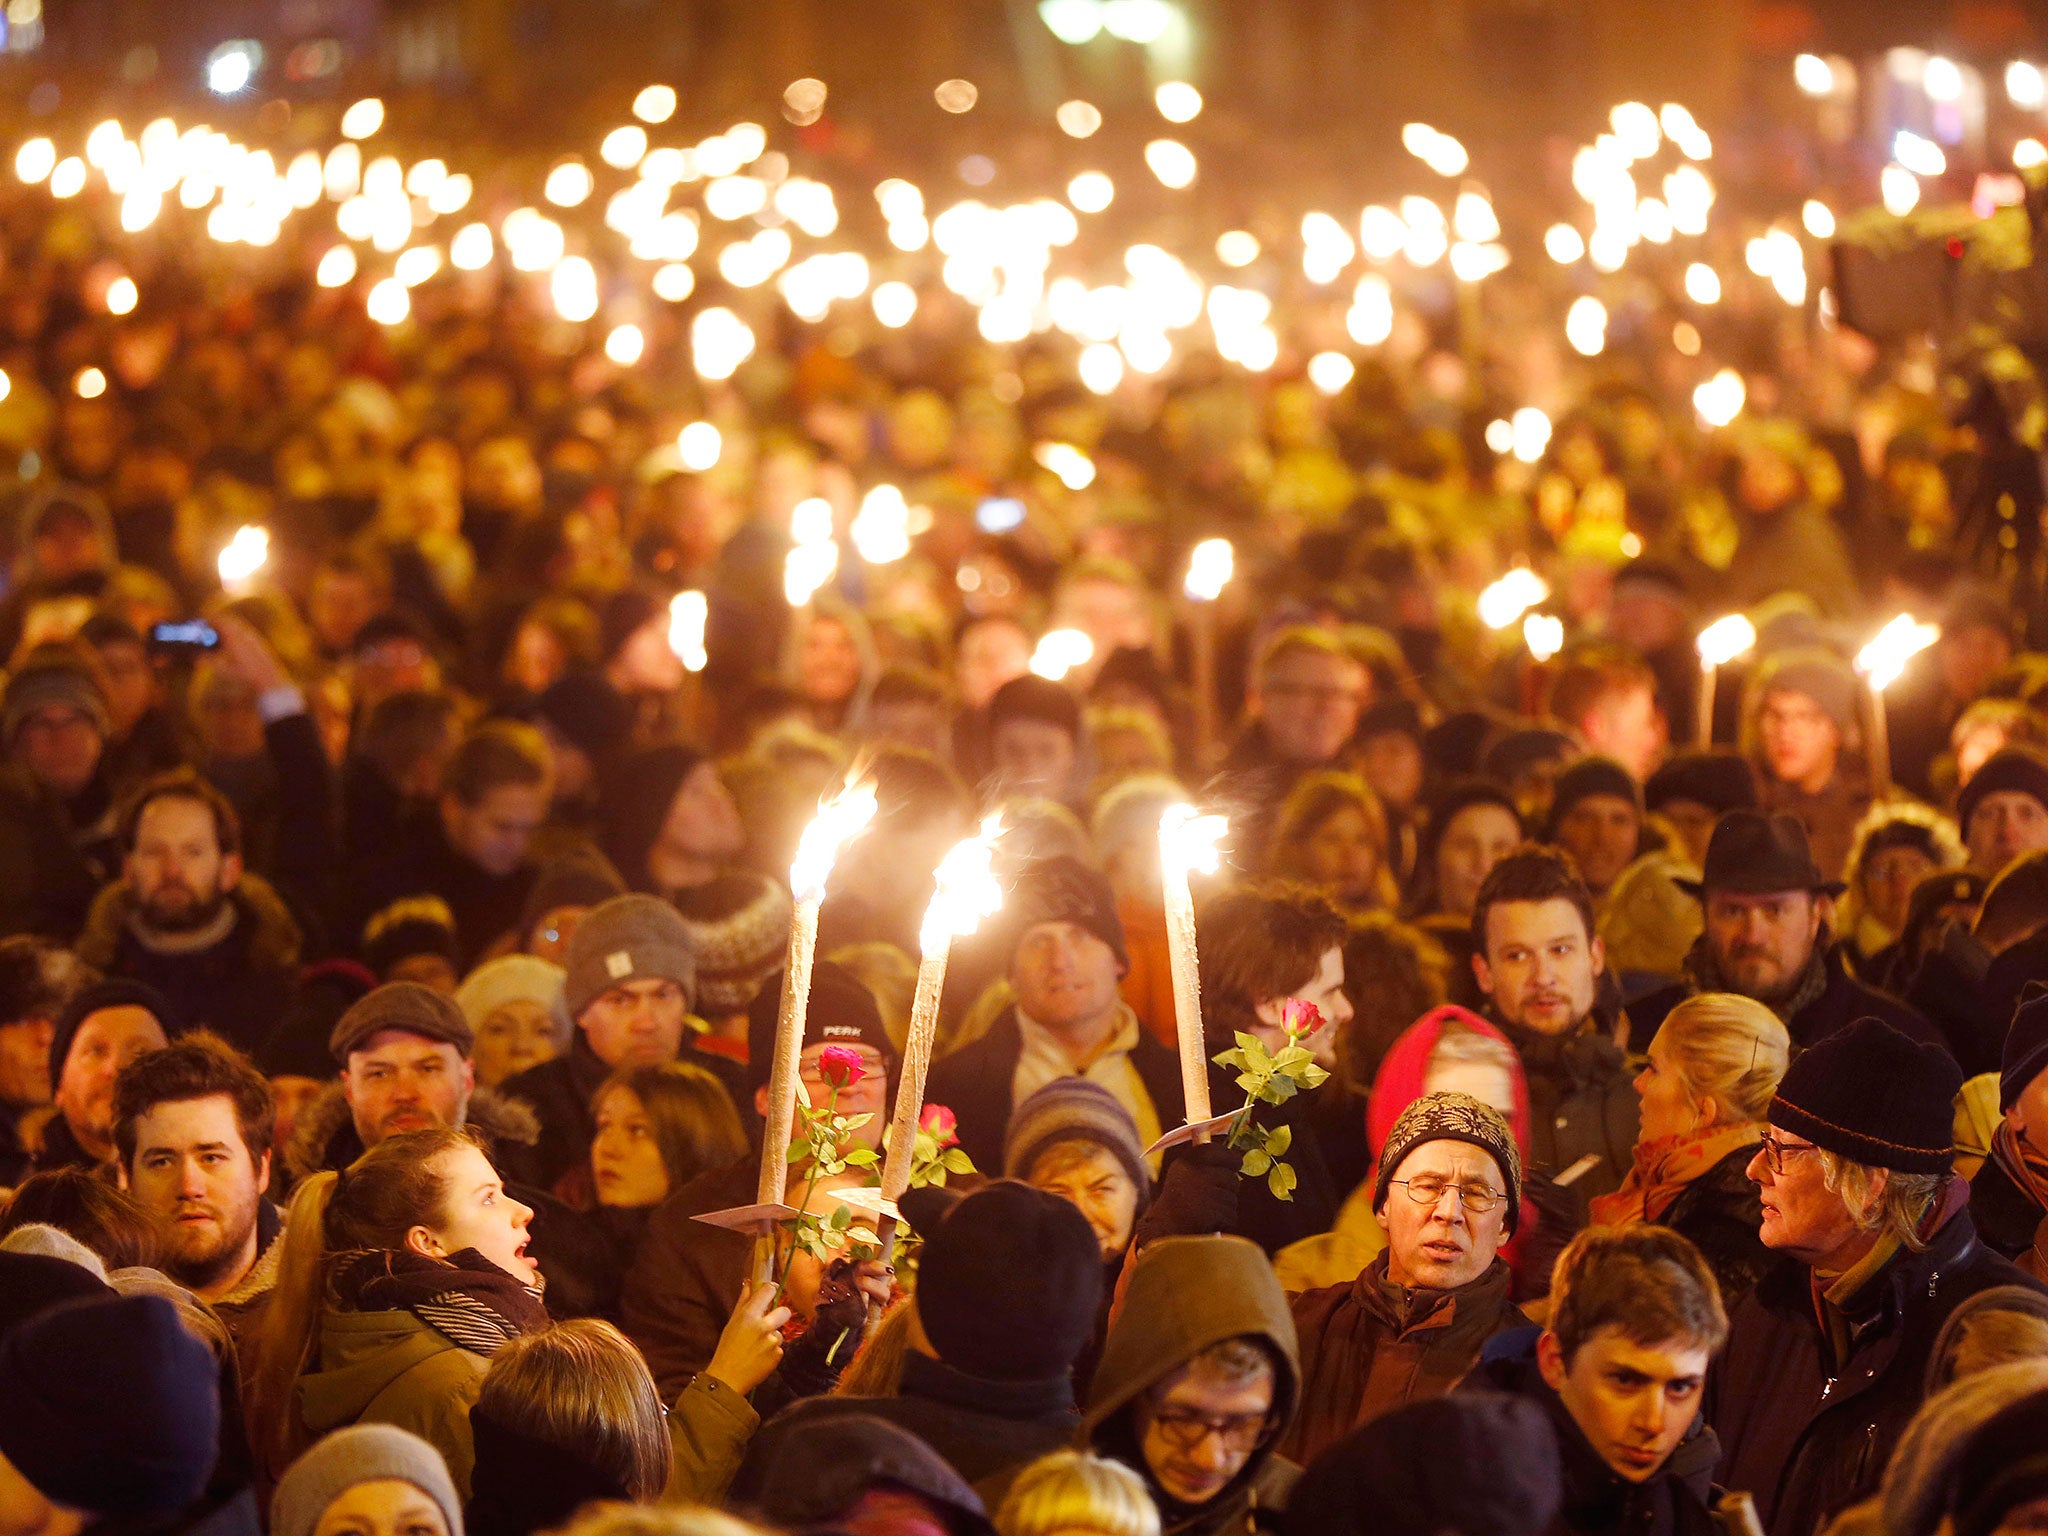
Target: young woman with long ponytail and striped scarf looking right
398 1281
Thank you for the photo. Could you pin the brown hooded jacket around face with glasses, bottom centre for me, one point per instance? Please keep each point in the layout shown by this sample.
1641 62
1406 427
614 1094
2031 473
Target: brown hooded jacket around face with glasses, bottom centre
1187 1295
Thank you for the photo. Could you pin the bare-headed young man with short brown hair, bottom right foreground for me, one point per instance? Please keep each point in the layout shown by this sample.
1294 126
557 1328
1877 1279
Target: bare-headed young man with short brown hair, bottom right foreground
1635 1320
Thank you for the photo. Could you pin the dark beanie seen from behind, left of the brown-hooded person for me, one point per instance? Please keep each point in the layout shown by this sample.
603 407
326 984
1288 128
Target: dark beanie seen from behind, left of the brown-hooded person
1009 1281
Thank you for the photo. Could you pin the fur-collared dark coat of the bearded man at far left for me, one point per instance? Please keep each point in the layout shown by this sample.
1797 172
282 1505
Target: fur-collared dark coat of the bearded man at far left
237 988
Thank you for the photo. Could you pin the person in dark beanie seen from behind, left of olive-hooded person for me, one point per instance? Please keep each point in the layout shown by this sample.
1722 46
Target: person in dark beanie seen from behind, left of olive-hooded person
1009 1285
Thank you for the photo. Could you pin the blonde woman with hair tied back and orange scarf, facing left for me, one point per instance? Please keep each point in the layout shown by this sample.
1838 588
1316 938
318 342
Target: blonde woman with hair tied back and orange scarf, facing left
1711 1076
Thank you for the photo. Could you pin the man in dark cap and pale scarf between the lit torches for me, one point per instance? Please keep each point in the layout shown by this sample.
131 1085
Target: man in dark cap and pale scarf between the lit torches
1068 1021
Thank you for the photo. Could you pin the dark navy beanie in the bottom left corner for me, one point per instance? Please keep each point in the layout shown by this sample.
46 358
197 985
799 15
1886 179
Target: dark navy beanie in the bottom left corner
110 1406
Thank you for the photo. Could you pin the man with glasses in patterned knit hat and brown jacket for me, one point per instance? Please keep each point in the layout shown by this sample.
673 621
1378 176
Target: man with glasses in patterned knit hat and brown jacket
1414 1322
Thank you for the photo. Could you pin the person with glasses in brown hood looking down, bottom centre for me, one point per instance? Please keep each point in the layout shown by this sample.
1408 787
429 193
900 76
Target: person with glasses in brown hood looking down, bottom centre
1197 1383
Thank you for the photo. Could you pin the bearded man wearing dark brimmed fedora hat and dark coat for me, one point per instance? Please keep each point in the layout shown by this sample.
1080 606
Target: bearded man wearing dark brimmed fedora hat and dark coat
1768 939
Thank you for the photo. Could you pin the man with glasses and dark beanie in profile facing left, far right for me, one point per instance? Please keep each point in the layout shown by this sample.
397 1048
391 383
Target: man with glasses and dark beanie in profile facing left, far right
1828 1357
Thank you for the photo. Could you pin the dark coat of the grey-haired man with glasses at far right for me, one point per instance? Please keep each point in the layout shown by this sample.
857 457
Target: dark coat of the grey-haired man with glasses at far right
1805 1439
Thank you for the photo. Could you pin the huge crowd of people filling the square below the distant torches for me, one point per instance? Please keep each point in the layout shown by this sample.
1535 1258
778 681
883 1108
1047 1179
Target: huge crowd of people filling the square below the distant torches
392 945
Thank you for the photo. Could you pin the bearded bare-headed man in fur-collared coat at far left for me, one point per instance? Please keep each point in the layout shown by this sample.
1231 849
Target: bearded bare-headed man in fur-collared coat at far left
189 921
